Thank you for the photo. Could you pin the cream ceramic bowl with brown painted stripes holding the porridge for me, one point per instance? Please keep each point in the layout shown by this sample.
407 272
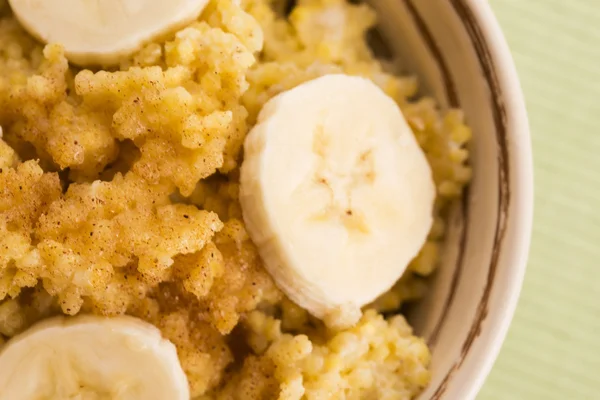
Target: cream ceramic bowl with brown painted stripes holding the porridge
462 59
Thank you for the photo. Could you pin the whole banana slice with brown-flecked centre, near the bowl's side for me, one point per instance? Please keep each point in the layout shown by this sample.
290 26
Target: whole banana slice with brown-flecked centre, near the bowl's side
336 194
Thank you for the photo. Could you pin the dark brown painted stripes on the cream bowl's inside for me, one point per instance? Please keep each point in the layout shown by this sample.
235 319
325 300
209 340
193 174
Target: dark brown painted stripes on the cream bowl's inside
477 39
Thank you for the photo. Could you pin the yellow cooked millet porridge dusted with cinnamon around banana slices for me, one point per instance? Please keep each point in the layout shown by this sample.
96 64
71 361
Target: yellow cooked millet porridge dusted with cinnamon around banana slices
119 194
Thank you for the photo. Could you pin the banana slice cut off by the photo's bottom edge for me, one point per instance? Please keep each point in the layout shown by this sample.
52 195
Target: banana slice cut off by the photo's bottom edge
91 358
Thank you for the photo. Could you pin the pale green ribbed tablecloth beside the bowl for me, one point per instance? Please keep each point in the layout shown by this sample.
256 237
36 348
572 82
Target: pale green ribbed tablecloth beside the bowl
553 348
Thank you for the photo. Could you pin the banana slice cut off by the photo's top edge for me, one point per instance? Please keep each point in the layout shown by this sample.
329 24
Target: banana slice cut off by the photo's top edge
103 31
